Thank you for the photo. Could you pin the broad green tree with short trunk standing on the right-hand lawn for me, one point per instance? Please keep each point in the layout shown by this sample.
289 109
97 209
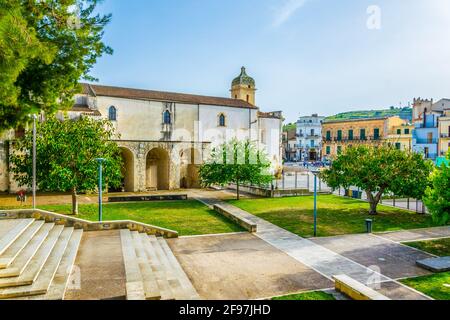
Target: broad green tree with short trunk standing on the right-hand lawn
378 170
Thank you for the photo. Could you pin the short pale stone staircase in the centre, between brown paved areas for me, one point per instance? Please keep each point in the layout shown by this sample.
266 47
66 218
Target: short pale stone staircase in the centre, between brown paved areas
152 271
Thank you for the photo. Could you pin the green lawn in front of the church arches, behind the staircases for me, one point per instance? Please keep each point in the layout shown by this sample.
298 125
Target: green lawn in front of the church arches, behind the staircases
185 217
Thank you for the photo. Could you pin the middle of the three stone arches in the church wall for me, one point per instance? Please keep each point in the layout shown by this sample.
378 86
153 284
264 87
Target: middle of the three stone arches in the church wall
157 167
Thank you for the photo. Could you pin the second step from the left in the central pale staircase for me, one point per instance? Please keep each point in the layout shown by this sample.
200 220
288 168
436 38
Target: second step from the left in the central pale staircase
151 288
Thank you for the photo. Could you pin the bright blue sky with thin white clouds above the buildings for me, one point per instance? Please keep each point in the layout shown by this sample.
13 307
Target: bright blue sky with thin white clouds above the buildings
307 56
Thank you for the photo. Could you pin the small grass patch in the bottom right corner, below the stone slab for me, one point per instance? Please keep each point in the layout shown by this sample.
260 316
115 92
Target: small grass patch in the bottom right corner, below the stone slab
436 286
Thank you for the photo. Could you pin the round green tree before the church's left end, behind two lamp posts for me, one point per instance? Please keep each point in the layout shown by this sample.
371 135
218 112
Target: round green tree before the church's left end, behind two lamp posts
66 152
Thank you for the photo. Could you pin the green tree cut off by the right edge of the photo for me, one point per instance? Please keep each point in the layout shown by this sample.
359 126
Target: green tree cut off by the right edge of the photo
437 196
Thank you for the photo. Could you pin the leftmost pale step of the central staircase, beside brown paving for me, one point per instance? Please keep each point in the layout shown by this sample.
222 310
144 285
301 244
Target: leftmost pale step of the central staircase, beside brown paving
134 281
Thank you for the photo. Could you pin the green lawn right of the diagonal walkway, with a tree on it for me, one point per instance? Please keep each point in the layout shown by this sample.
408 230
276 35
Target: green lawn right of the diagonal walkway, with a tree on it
336 215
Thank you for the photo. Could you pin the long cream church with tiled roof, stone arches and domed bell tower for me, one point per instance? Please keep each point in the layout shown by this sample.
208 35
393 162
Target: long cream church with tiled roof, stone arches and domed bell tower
164 137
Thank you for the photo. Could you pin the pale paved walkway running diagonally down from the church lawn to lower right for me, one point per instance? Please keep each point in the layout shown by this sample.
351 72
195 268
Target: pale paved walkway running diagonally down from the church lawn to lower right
313 255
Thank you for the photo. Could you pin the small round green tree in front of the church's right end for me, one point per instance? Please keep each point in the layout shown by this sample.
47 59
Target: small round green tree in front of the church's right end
236 162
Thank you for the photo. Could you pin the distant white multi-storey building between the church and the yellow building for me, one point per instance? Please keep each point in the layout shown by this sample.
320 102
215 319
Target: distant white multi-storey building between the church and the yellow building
309 138
